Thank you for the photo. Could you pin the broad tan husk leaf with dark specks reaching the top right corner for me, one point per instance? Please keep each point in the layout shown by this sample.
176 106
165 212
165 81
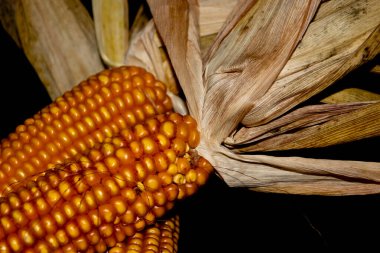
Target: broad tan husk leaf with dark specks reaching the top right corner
334 44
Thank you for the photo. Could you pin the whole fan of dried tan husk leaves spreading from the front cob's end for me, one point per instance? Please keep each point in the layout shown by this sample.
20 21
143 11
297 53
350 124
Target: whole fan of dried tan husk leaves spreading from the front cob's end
256 71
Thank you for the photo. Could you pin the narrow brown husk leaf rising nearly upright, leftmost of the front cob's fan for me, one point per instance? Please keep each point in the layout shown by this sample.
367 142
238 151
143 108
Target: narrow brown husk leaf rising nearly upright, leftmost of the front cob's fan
182 44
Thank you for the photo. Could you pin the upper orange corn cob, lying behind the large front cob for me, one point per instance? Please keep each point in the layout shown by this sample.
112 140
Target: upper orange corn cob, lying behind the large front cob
95 109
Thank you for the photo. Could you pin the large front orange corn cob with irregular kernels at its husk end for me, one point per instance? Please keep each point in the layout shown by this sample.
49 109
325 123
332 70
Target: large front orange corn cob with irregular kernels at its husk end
111 192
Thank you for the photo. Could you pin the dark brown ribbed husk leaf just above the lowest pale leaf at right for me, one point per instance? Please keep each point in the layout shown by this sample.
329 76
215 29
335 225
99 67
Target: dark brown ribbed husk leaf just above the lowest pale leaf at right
316 126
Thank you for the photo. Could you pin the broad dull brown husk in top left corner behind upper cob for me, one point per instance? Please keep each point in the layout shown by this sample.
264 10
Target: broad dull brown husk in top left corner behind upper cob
58 38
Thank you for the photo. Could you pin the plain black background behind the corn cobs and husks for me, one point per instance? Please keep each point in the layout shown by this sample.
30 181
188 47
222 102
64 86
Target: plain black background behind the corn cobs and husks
223 219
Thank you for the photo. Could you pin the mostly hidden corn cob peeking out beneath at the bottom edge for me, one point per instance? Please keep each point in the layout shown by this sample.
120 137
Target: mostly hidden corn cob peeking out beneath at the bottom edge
162 237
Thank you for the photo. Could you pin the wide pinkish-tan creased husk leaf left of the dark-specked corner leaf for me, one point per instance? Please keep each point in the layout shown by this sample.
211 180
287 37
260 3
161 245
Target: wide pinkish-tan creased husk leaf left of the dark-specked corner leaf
243 64
